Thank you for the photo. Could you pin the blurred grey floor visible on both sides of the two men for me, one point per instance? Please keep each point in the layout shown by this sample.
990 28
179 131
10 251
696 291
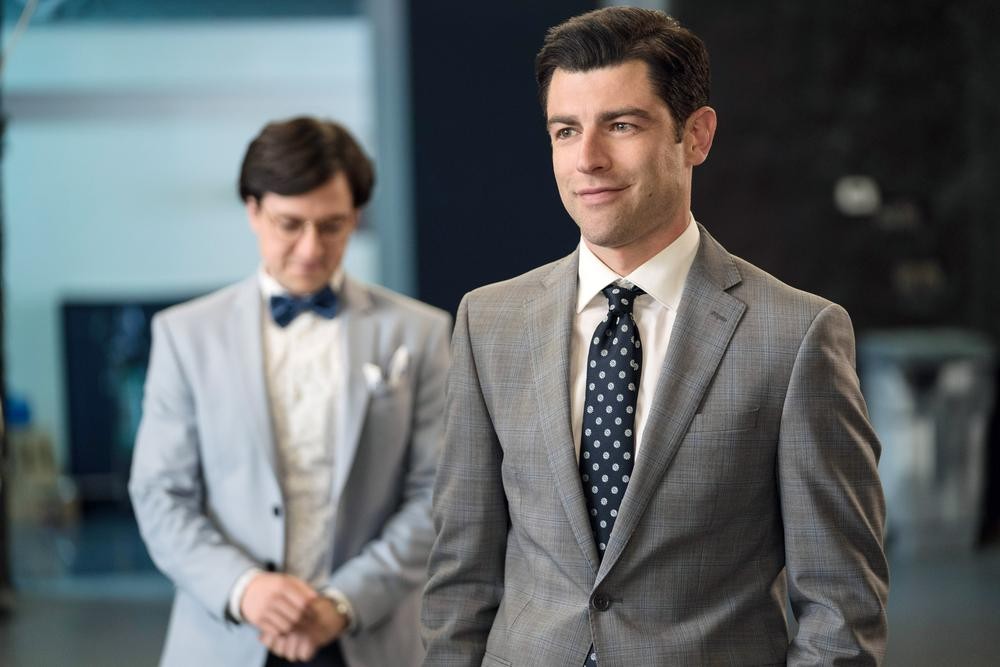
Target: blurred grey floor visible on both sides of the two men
944 610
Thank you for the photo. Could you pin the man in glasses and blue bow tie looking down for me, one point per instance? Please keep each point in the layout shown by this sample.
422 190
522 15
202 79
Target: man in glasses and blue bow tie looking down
290 434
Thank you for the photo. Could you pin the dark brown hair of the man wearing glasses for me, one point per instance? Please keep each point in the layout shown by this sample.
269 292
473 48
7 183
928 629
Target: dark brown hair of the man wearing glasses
298 155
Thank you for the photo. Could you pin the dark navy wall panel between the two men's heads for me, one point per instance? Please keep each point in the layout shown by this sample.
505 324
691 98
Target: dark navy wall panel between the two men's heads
486 202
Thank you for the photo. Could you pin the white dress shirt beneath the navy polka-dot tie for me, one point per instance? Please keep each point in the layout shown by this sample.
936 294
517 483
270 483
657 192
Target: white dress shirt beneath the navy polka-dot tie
662 277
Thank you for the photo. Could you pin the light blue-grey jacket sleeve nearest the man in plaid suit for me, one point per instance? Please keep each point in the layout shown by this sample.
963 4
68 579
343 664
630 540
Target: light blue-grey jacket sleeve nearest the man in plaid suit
395 563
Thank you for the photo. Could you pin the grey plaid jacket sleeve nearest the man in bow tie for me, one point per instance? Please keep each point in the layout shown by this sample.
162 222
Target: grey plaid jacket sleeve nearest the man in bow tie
471 518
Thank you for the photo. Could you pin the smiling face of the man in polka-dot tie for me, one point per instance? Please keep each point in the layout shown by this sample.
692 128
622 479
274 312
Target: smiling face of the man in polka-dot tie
622 175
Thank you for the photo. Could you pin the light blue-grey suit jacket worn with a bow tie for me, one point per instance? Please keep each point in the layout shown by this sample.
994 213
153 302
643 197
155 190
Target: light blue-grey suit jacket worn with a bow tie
206 492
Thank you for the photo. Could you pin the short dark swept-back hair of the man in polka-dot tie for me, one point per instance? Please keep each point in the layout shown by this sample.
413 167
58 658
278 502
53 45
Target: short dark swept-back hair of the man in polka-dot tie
676 58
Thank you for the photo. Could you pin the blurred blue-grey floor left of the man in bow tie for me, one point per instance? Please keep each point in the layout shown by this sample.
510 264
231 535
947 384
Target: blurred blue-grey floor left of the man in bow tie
88 594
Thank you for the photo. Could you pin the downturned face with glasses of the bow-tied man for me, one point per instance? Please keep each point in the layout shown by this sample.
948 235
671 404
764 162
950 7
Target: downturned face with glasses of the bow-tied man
302 238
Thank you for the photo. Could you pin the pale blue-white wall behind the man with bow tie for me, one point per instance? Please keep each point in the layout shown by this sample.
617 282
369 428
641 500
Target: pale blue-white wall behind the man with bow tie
121 159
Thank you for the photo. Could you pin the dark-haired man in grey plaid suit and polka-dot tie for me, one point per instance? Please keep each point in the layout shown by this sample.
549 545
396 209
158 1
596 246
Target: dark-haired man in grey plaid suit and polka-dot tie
650 445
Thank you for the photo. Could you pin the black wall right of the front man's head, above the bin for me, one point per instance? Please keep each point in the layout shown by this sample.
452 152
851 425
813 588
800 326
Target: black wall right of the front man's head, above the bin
810 92
